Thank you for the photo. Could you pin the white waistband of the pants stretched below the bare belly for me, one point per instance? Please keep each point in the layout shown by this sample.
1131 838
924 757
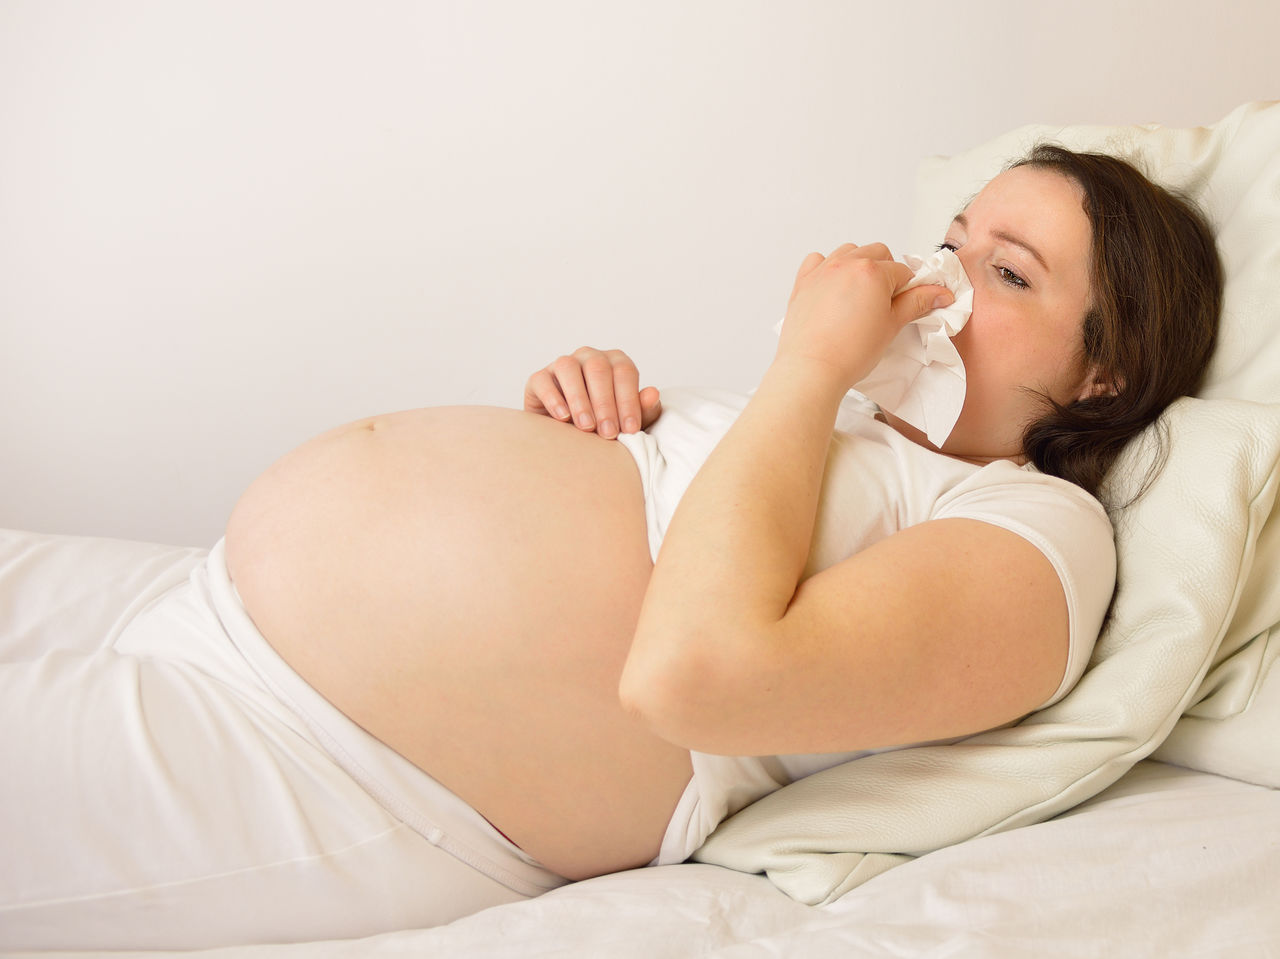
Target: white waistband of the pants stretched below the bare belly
405 791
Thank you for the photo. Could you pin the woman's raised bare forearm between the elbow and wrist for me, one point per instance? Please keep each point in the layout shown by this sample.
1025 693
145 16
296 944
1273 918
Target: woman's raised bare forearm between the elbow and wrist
739 542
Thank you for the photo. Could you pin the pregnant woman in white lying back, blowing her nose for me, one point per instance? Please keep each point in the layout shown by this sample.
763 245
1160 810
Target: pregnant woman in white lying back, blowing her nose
440 663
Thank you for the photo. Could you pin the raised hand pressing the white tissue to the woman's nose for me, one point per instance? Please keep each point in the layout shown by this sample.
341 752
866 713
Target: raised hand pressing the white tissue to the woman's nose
847 308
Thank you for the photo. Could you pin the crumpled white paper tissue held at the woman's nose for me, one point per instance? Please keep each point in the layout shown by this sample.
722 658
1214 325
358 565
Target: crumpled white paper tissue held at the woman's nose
921 378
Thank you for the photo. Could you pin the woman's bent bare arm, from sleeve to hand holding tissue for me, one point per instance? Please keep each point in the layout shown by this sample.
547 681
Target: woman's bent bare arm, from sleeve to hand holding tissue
735 655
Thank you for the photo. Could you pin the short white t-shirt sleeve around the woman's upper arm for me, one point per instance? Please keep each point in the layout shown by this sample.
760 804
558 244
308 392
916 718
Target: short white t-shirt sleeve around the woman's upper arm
1068 526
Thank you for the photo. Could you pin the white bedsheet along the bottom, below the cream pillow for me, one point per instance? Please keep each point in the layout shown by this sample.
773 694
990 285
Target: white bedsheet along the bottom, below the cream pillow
1167 864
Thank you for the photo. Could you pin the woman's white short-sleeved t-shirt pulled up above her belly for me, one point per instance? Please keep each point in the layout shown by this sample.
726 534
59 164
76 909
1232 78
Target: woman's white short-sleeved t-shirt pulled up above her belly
877 482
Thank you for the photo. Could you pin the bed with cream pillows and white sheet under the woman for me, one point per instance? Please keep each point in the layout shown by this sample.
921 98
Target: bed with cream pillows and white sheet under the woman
1140 816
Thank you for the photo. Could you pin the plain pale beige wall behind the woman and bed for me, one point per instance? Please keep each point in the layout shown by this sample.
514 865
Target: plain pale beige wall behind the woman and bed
226 226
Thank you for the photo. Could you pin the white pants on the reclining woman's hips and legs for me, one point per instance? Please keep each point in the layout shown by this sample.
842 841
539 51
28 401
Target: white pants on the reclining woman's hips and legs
175 786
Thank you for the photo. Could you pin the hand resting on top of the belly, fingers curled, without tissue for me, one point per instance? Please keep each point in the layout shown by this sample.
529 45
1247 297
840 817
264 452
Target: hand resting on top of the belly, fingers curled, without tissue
596 390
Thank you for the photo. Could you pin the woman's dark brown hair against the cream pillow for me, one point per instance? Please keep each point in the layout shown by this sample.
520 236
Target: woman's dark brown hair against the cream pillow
1156 295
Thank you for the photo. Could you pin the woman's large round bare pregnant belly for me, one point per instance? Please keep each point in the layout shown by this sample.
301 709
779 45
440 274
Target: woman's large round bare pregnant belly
465 583
